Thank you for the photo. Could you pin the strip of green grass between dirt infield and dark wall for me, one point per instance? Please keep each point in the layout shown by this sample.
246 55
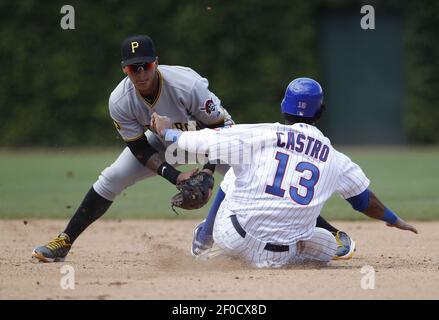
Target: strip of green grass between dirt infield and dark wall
51 184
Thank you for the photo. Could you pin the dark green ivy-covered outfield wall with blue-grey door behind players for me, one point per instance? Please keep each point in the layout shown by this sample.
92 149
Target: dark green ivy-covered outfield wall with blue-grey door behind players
382 85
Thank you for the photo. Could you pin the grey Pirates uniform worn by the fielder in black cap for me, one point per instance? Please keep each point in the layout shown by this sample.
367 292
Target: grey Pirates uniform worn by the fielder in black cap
183 96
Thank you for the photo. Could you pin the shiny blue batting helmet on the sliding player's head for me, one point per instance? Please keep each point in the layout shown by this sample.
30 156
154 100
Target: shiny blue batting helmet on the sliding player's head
303 98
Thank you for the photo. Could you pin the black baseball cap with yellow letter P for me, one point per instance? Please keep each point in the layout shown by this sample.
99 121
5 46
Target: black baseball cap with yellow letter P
137 49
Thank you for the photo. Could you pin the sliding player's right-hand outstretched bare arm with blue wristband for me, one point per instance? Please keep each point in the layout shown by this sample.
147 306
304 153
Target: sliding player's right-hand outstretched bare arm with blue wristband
369 204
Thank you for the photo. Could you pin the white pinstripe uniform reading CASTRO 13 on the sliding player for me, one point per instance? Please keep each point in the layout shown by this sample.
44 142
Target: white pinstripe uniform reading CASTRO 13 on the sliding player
278 193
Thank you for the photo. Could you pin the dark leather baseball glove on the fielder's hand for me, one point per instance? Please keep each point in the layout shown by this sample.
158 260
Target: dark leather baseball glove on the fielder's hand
194 192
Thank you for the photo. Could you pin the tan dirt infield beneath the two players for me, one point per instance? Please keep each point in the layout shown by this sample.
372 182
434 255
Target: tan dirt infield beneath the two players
150 259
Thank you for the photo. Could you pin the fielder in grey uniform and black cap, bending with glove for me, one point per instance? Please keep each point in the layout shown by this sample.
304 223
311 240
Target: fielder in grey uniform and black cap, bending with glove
177 92
